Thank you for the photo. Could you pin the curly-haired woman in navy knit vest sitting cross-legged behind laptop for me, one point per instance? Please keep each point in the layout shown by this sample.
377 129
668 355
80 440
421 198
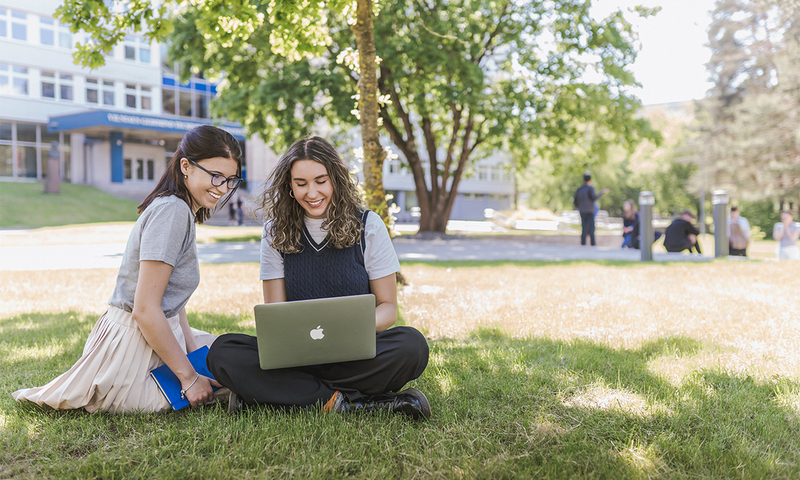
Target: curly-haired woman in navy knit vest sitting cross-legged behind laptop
316 222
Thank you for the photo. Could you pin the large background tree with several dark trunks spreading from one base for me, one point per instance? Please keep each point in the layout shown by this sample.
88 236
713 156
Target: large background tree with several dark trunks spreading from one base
459 80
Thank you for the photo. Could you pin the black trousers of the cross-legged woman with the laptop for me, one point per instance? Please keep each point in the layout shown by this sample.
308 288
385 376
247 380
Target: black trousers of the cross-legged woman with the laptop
401 356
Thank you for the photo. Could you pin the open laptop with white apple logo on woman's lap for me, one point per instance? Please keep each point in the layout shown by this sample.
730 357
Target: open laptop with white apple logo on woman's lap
313 332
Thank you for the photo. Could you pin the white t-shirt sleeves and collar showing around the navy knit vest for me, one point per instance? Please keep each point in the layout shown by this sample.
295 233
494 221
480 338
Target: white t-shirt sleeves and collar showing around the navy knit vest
380 259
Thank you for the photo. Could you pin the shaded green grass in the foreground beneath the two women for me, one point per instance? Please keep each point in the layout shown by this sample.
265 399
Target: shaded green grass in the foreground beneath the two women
504 407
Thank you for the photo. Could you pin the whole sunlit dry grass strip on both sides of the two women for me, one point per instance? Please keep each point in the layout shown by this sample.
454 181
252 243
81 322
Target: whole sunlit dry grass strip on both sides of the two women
748 310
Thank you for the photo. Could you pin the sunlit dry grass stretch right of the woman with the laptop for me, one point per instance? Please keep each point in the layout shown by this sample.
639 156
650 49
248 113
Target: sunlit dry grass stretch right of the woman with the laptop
748 309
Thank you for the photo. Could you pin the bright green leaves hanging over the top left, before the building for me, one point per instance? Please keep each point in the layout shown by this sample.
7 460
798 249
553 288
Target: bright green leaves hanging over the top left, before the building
295 29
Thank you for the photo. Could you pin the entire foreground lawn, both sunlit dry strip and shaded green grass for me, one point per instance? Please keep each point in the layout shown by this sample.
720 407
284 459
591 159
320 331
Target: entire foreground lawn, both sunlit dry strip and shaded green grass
536 371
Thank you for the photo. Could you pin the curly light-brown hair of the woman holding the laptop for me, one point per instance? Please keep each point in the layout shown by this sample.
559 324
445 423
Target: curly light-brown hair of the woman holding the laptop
284 216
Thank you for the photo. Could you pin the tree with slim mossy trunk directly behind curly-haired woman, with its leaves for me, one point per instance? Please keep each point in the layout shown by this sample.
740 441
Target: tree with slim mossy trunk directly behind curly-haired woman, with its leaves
290 30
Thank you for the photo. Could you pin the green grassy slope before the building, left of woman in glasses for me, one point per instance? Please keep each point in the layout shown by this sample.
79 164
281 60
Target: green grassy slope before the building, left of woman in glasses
26 205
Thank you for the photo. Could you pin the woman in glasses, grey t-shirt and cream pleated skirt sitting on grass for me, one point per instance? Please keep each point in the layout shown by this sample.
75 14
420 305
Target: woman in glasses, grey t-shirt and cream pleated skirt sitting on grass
146 325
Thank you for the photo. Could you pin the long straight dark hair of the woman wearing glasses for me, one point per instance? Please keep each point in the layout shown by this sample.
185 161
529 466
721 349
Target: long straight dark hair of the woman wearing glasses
201 143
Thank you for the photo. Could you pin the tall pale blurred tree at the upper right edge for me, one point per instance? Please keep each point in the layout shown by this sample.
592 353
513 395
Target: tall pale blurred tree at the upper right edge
749 125
